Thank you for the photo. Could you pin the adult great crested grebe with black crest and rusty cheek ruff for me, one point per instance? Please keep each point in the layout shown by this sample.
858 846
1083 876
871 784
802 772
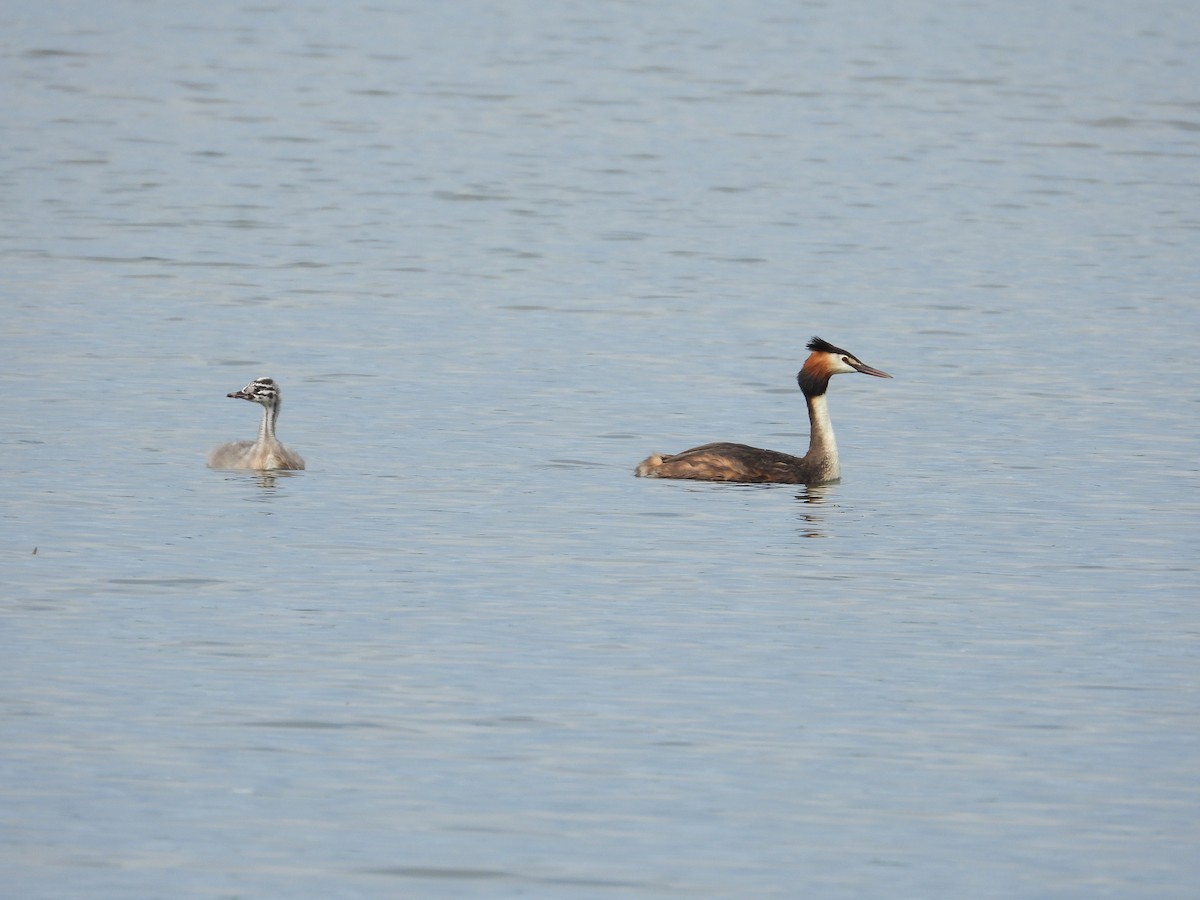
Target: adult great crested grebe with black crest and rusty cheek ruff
739 463
